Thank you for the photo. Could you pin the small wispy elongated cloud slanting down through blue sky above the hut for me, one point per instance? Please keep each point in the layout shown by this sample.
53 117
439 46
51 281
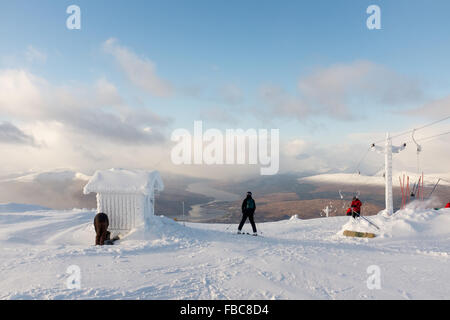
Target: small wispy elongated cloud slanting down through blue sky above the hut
140 71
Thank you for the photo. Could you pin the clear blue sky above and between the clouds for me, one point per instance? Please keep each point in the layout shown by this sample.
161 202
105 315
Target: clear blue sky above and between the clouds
204 48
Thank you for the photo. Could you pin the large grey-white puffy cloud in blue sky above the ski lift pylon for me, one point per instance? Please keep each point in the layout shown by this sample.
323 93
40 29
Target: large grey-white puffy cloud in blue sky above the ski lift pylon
338 90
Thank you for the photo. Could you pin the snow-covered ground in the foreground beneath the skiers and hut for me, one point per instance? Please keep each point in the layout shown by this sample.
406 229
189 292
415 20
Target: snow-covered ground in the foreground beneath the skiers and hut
293 259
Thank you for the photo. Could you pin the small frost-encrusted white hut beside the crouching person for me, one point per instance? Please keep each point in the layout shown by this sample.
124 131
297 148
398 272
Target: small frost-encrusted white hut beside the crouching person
126 196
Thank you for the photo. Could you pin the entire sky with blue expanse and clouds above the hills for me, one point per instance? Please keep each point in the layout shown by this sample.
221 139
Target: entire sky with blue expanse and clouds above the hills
111 93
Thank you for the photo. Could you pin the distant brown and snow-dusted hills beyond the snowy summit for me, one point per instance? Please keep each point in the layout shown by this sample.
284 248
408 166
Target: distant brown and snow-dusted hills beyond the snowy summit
278 197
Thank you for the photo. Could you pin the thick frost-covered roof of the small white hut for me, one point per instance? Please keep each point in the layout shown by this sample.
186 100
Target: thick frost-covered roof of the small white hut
124 181
